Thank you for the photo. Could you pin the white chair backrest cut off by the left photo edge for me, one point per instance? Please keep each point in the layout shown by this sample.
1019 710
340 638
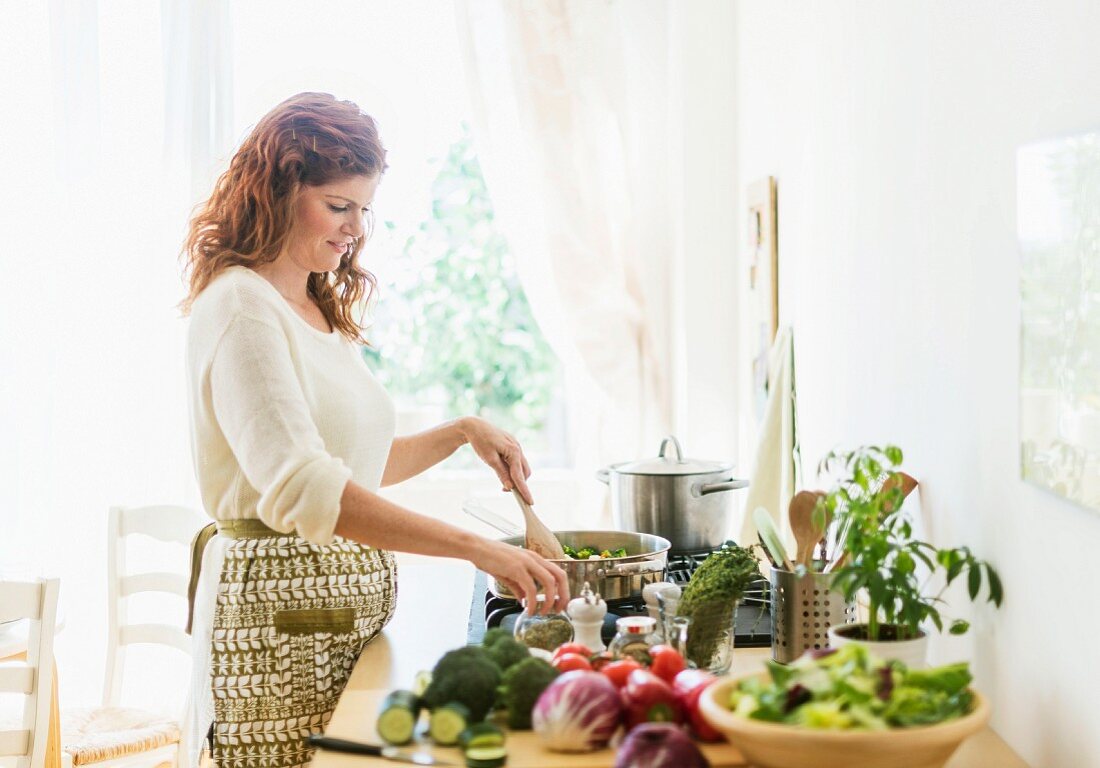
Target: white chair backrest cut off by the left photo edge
35 678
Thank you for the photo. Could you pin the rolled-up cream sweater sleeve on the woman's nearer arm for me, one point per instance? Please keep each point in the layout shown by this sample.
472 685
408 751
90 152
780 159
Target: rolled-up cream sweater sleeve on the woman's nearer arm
263 414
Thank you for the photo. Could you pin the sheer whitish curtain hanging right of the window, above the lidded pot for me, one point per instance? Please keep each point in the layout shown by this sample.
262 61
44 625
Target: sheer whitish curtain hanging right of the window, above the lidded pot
576 139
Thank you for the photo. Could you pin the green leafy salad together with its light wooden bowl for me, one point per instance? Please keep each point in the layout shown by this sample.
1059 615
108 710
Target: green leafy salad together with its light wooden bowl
844 708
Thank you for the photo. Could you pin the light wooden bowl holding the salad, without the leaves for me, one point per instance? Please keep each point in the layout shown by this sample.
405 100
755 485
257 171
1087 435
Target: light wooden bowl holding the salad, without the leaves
775 745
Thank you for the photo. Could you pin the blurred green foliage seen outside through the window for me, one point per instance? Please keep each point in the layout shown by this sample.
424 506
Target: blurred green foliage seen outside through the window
457 331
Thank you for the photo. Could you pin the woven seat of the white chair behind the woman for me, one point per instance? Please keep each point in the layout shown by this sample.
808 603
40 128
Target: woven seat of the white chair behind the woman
105 733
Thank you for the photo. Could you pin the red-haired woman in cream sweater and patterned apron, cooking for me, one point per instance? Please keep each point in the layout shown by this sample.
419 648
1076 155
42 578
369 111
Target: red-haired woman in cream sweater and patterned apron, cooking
293 437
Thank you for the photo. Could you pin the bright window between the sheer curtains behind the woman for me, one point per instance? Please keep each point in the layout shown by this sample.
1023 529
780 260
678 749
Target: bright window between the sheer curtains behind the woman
453 333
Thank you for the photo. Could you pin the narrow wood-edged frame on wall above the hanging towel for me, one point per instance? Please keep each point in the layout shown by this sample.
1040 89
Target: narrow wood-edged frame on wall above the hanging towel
764 283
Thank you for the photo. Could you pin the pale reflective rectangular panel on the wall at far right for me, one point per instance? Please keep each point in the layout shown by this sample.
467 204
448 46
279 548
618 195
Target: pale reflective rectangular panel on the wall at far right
1058 225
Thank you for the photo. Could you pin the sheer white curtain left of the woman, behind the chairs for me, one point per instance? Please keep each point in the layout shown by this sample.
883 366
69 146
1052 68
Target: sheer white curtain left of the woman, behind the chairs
93 407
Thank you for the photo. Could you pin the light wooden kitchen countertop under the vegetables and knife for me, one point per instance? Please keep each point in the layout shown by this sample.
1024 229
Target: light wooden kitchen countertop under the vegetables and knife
432 620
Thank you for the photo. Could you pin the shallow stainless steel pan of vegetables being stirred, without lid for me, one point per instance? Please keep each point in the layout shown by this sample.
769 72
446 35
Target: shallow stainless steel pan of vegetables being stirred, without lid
613 578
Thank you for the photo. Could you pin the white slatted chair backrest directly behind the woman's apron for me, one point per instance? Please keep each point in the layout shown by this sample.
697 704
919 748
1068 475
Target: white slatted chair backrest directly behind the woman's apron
166 524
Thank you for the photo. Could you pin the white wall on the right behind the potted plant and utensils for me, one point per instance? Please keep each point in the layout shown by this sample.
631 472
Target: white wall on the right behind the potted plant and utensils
893 130
